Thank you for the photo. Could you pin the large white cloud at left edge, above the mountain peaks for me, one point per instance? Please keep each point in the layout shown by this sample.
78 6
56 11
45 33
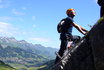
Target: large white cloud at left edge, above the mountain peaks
7 29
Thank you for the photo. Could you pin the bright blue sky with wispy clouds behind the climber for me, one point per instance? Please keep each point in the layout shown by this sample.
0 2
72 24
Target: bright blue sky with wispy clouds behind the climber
36 20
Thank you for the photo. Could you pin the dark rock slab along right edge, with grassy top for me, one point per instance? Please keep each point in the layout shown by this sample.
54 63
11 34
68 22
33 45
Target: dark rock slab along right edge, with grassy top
96 37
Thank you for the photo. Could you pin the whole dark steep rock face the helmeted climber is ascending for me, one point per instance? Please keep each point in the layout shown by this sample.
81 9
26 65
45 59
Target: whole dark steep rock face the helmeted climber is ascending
89 55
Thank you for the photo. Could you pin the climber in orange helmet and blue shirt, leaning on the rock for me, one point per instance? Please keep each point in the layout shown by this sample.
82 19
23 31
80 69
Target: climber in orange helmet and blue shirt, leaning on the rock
67 25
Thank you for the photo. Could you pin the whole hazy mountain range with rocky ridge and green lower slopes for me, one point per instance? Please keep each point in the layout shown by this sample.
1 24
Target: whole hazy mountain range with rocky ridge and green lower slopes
22 55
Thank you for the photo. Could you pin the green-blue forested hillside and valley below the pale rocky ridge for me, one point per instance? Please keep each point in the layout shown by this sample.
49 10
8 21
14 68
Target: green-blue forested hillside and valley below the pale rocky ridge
19 57
